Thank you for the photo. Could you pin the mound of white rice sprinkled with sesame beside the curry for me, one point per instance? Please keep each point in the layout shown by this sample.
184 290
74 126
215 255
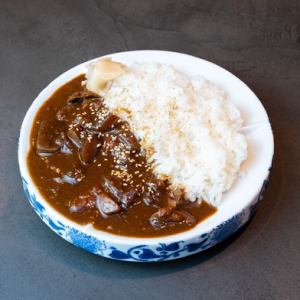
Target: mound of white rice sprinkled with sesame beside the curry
188 128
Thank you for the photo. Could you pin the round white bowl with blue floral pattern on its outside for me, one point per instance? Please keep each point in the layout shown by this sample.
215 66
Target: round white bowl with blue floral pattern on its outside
237 207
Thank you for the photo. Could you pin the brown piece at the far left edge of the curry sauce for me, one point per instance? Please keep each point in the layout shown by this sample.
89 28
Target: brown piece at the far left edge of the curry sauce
45 144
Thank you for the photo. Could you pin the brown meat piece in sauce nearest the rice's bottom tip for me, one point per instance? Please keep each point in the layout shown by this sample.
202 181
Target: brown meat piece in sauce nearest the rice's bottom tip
167 216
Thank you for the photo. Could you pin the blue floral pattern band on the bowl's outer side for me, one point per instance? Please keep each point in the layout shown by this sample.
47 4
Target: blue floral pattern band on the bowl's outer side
144 253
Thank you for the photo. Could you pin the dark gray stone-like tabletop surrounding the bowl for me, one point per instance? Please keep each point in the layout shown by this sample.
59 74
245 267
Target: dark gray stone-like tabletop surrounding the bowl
259 41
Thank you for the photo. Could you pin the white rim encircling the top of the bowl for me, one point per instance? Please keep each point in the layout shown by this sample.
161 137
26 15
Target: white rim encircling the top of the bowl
193 233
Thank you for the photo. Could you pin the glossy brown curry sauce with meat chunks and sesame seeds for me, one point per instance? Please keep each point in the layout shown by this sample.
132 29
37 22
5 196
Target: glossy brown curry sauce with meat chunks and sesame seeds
82 176
